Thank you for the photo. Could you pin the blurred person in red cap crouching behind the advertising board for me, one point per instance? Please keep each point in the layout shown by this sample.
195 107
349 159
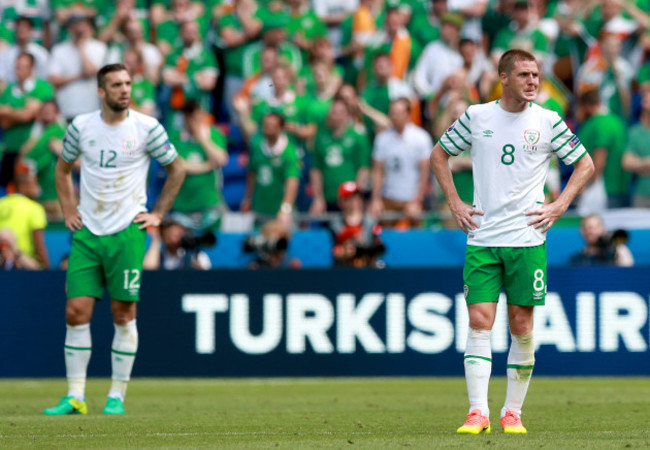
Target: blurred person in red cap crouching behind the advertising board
357 240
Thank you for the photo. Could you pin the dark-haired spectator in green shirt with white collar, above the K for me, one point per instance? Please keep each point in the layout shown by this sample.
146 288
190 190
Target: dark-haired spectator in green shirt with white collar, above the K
274 170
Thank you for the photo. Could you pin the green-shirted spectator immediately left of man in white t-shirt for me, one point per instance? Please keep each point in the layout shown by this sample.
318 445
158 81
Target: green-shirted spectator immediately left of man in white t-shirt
340 154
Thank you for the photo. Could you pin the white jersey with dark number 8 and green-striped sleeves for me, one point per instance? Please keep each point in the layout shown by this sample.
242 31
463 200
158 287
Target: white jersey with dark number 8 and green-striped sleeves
510 159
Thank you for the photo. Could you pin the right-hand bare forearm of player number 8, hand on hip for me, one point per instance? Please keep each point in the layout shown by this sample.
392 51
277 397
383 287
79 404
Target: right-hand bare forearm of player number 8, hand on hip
548 214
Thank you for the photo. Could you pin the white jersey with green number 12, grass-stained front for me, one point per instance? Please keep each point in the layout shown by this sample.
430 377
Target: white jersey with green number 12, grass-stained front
114 166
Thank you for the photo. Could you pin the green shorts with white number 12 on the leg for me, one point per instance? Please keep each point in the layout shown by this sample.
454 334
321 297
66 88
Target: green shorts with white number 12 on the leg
113 261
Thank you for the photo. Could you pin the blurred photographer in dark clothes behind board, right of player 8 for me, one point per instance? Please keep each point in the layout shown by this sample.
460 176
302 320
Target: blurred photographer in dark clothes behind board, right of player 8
601 247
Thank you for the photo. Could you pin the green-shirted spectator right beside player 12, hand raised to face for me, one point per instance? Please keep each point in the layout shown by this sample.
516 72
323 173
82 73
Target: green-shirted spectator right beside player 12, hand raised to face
199 203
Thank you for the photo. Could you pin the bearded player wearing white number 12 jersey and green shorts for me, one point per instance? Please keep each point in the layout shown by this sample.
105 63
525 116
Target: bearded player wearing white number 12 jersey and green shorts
115 145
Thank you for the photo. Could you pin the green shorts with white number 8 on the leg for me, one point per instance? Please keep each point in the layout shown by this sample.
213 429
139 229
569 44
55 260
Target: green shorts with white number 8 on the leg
520 270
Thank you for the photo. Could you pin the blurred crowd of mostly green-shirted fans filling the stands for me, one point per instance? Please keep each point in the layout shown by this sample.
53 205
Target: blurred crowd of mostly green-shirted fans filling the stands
278 105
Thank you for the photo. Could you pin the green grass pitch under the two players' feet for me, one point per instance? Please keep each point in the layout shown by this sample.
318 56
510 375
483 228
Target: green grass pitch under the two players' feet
340 413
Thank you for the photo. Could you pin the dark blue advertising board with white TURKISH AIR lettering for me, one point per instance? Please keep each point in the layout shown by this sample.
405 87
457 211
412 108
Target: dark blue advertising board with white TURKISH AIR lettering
329 323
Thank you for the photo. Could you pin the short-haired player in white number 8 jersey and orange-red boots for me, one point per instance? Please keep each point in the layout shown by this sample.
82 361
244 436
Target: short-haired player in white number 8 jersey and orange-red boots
511 141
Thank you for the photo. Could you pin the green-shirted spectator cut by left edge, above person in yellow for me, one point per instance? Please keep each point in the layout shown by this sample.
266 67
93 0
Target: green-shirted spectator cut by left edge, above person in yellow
19 105
